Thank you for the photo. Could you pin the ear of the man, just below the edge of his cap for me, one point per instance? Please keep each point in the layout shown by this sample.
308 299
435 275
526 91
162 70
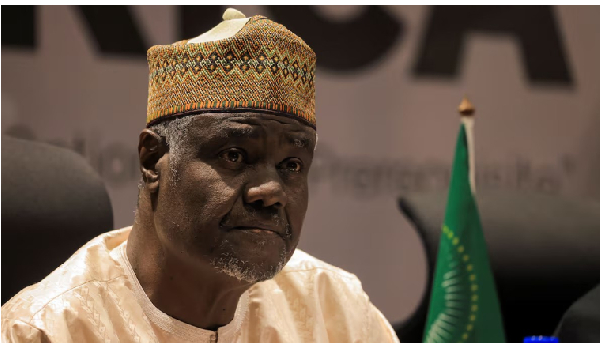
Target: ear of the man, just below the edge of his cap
151 148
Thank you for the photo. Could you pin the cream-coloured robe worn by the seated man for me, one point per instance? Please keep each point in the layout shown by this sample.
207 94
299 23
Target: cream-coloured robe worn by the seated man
95 297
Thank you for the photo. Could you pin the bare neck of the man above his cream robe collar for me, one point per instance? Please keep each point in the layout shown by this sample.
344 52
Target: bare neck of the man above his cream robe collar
199 296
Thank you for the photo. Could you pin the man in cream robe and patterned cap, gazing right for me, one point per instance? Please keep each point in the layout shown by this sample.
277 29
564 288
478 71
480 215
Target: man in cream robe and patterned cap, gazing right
211 256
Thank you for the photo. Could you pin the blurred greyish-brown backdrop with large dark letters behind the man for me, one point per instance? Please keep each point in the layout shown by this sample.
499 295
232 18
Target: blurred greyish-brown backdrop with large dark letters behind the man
389 80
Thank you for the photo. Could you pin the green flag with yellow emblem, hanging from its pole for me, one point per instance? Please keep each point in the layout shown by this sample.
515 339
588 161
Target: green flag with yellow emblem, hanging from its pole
464 305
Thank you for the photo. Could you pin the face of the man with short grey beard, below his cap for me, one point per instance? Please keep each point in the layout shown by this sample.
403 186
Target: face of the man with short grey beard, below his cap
236 198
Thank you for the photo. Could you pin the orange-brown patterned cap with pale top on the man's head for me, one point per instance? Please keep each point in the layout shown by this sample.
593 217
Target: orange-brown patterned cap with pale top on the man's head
241 64
